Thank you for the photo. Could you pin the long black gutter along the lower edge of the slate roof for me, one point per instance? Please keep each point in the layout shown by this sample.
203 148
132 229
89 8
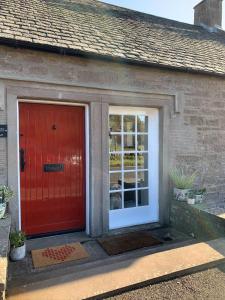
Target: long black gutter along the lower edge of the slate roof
90 55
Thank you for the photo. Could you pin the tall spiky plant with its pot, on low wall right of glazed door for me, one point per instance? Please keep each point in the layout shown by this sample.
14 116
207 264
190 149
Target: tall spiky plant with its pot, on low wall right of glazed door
183 183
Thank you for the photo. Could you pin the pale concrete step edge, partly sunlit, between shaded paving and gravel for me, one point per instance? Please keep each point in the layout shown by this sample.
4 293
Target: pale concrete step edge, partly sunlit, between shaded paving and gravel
118 276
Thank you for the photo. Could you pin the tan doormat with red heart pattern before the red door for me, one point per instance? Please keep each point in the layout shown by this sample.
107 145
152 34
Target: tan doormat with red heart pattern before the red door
57 255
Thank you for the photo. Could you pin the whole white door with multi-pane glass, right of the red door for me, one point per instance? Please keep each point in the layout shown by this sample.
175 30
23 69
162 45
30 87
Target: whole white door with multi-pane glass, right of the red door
133 165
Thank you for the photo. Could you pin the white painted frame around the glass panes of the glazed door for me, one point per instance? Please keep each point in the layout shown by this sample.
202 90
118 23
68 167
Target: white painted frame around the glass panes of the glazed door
125 217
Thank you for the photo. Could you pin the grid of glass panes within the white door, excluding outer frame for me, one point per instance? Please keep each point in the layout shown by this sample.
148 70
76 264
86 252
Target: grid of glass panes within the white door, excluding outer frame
128 160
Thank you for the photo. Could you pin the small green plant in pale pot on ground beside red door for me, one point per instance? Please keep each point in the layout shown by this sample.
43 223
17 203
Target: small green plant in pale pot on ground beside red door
18 246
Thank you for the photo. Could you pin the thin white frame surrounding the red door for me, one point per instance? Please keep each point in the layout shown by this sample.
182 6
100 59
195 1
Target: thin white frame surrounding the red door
87 203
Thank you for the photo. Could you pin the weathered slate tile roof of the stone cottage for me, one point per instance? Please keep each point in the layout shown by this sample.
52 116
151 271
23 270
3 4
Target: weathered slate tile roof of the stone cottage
93 28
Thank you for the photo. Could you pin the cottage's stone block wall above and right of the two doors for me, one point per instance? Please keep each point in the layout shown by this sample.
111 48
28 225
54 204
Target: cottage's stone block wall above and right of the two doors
196 134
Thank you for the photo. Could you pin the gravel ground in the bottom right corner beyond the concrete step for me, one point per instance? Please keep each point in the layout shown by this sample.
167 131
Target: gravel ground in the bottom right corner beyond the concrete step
209 284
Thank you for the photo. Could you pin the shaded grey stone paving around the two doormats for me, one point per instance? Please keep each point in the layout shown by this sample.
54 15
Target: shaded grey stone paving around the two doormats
22 272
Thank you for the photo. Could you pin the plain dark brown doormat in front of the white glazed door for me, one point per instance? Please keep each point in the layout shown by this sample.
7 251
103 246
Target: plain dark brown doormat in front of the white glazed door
127 242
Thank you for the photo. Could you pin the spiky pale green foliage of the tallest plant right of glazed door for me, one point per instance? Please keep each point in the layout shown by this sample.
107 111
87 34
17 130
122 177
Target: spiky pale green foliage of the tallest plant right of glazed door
182 180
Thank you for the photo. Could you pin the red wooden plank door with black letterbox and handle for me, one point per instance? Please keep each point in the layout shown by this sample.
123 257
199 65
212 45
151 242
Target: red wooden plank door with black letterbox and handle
52 167
